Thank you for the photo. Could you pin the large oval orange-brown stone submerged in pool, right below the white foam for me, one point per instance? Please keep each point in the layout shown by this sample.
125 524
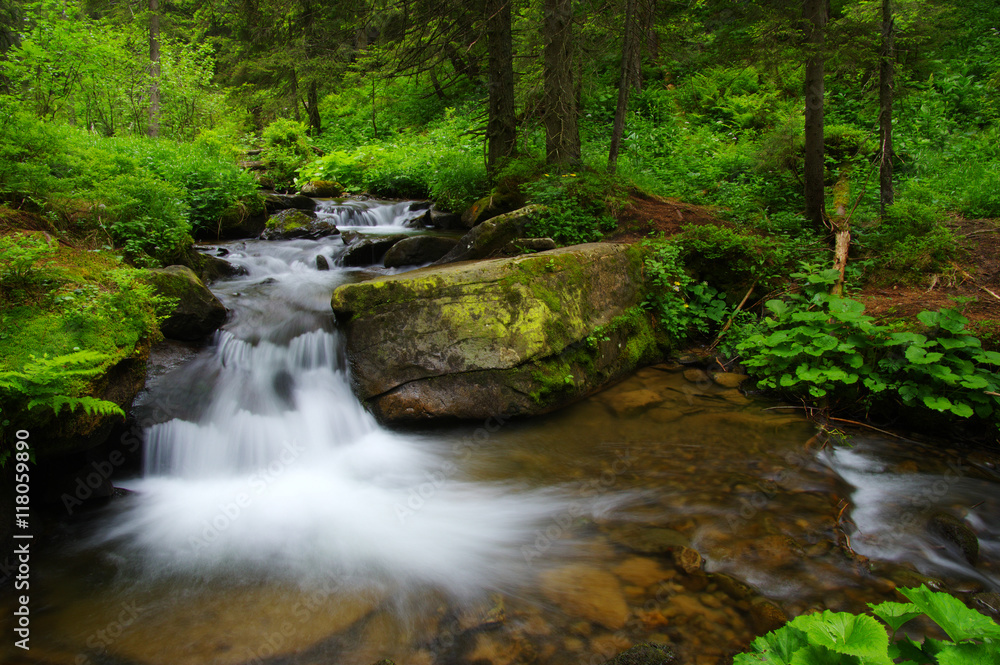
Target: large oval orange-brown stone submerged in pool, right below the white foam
586 592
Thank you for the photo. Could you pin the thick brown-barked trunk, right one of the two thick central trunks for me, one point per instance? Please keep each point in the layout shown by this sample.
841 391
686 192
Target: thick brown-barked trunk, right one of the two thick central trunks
562 136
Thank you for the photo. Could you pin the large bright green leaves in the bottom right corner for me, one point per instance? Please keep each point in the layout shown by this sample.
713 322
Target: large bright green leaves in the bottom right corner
838 638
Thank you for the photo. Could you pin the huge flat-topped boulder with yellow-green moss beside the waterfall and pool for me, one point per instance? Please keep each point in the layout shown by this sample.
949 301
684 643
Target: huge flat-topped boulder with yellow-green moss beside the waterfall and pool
516 336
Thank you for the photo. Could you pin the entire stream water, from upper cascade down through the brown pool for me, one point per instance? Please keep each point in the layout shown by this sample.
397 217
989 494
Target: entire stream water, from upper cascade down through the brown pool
276 522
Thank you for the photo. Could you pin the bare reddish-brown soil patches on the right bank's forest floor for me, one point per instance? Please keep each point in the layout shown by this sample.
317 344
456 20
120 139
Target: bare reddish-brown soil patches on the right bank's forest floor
975 273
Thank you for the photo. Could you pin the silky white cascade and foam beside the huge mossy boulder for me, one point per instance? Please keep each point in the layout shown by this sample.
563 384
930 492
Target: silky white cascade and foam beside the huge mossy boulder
285 471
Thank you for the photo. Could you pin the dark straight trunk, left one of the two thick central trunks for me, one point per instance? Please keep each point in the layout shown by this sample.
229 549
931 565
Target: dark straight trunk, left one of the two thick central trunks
501 126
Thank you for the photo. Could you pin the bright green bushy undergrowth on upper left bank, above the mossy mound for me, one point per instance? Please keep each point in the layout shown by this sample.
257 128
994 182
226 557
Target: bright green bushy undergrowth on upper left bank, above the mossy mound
140 195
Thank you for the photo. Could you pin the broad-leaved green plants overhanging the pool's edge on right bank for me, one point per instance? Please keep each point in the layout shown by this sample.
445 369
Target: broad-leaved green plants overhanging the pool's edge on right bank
818 346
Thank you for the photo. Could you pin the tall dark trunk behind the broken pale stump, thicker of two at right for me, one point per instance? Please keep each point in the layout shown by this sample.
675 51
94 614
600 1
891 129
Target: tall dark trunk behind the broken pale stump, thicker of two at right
814 13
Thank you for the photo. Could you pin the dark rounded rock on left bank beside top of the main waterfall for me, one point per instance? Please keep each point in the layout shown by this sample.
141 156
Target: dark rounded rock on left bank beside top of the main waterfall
197 313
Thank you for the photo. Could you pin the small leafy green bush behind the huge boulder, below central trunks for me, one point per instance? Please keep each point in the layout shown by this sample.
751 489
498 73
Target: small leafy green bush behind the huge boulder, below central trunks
575 209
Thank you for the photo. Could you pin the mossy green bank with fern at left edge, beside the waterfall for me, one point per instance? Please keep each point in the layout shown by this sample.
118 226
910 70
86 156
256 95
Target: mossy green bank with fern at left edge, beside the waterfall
66 316
